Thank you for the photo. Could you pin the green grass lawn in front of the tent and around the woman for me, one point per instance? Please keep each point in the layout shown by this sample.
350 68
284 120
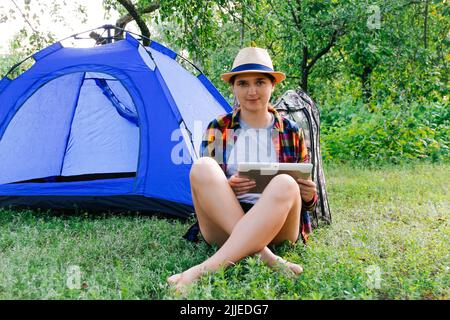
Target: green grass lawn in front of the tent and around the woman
389 240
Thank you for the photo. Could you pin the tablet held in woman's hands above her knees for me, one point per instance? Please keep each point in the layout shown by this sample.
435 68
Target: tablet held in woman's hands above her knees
263 172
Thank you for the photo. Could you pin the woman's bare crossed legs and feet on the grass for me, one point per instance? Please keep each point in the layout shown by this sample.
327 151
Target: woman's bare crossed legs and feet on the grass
277 212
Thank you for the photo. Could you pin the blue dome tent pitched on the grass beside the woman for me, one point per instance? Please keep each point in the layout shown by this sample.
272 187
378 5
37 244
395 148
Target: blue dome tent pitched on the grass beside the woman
109 127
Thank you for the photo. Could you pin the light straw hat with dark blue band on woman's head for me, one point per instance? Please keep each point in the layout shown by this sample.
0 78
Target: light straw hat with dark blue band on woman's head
253 59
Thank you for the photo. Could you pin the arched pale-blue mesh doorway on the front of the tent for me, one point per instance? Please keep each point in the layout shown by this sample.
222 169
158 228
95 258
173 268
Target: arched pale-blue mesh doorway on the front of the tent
80 126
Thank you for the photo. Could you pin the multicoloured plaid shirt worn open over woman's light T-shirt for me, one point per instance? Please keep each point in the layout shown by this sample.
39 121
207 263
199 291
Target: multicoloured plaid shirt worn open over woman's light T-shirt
222 133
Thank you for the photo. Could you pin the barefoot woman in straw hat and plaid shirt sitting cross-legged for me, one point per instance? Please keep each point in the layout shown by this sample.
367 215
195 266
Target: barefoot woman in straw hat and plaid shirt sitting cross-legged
230 216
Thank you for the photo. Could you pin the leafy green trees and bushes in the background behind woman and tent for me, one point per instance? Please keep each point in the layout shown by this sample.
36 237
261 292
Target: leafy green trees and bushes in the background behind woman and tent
383 90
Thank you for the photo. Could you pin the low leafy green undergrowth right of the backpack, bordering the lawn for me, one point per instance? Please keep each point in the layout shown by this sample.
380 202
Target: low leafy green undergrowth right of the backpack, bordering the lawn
391 134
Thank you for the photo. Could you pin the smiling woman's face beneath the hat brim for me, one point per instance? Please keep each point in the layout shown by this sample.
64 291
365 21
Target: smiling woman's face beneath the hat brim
253 90
